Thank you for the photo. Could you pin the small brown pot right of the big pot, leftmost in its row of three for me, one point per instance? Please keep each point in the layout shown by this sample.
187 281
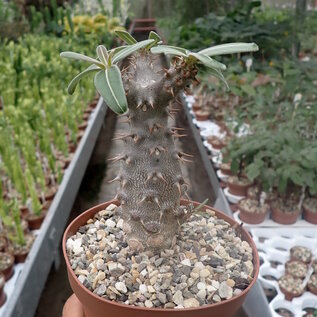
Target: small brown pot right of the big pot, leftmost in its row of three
251 211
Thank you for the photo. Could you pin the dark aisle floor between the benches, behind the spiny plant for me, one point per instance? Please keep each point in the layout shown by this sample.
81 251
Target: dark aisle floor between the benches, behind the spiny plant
95 189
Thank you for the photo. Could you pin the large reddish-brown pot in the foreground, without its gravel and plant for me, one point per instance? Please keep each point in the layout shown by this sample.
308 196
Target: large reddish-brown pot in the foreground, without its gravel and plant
95 306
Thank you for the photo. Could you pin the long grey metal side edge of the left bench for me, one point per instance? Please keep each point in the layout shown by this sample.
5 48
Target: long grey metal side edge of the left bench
24 289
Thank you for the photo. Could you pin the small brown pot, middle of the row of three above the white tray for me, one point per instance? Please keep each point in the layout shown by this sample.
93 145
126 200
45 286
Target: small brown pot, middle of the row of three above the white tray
284 211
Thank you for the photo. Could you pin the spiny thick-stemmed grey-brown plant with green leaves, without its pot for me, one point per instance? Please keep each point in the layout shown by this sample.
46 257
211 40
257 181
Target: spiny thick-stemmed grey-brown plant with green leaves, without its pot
151 181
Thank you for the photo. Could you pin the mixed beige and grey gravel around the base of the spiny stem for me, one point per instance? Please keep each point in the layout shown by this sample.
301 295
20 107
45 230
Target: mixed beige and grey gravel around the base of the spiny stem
208 264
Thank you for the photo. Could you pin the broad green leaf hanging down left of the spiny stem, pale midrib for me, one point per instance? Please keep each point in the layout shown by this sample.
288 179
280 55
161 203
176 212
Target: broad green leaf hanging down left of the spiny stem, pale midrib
109 85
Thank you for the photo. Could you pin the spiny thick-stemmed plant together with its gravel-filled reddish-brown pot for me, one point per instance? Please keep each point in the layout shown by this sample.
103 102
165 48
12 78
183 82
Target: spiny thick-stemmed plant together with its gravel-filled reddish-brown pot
149 251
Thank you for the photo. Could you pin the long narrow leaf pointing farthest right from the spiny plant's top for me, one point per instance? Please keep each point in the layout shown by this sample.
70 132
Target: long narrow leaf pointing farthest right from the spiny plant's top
229 48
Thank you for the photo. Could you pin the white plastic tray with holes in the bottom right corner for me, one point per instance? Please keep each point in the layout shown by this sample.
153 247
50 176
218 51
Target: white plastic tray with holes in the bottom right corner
273 247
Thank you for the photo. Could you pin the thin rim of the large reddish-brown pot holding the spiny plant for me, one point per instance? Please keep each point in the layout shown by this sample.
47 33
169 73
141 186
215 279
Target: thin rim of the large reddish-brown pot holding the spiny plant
256 262
